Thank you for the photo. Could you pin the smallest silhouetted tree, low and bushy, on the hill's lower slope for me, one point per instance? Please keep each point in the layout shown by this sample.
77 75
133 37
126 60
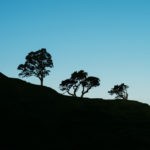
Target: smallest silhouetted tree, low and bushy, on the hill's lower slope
120 91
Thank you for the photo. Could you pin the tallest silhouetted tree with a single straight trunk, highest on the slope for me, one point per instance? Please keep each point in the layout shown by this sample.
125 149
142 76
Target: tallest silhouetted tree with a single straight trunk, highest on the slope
36 64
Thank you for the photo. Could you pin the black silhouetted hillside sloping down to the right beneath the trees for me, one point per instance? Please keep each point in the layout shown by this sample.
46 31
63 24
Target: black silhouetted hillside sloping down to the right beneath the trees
35 117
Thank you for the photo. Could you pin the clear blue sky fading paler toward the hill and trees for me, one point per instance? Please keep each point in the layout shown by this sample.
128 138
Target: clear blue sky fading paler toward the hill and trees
109 39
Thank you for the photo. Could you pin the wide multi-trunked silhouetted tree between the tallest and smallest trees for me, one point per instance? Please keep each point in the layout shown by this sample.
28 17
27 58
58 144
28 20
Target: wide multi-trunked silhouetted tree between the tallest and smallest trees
77 80
